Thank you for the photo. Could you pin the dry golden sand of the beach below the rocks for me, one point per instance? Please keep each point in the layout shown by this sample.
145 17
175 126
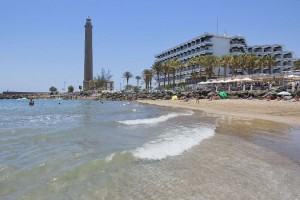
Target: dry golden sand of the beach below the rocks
277 111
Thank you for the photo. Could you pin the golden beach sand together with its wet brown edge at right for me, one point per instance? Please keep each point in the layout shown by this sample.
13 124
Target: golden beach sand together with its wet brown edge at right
251 121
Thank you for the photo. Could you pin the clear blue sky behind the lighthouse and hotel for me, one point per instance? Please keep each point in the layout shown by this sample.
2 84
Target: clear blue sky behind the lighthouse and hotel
42 41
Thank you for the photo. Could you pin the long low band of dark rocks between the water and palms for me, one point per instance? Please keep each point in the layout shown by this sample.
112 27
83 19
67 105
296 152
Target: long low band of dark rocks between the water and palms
163 95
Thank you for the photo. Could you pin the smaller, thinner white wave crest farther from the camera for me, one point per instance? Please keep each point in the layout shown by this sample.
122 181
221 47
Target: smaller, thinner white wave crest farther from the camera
155 120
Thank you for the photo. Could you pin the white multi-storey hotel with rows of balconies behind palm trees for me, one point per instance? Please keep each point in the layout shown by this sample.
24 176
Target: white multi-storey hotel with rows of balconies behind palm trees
219 45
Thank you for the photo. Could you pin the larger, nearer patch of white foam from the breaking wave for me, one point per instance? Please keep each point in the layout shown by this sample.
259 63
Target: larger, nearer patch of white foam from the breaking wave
173 143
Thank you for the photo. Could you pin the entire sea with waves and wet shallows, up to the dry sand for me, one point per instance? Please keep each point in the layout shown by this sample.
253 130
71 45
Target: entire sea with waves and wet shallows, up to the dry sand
84 149
